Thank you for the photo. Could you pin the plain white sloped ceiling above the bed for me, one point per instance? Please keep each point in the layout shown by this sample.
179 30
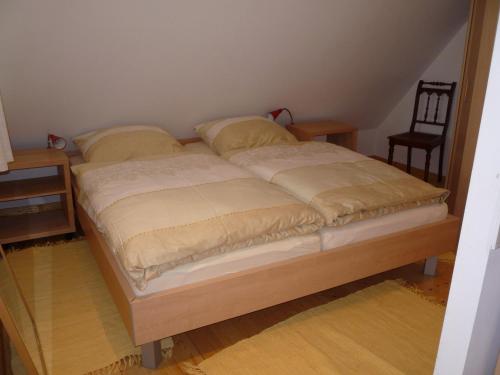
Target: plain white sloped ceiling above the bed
70 66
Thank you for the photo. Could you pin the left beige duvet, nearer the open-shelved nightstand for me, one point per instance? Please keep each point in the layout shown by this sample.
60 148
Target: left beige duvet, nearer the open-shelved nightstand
161 212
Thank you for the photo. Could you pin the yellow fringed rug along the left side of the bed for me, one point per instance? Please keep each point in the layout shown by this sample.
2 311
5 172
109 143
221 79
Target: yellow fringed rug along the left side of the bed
80 328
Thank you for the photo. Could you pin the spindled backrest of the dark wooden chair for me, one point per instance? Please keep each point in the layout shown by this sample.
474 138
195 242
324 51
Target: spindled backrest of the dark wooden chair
429 104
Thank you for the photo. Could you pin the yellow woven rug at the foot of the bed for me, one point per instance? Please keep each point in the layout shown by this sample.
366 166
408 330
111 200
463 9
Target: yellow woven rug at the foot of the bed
384 329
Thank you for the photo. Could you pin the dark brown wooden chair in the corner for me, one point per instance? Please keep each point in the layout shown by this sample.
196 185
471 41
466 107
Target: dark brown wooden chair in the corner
427 141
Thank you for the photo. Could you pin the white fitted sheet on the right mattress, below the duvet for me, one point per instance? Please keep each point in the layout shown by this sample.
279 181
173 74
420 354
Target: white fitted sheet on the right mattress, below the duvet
332 237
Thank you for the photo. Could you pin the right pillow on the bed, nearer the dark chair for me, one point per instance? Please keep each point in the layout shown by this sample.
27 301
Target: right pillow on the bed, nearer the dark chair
241 133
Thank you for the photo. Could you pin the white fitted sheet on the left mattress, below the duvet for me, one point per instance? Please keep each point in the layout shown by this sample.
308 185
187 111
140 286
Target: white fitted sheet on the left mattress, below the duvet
232 262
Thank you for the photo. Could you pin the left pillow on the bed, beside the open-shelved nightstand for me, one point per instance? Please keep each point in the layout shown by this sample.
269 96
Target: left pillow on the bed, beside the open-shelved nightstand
126 142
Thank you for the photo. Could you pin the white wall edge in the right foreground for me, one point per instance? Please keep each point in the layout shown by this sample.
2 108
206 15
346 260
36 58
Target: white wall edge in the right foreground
470 340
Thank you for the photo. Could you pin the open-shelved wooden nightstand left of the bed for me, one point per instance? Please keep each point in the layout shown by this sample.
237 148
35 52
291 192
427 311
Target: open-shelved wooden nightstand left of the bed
28 226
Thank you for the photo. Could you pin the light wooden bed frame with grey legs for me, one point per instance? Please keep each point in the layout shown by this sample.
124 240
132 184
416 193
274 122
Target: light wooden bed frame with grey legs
177 310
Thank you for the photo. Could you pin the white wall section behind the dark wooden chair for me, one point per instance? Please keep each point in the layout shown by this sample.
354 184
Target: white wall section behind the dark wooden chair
446 67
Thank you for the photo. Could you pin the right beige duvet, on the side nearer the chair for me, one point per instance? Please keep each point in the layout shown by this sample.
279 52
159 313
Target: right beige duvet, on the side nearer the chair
341 184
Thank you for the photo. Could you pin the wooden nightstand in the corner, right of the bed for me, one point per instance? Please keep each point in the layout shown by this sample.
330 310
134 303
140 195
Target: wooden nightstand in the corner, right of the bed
336 132
